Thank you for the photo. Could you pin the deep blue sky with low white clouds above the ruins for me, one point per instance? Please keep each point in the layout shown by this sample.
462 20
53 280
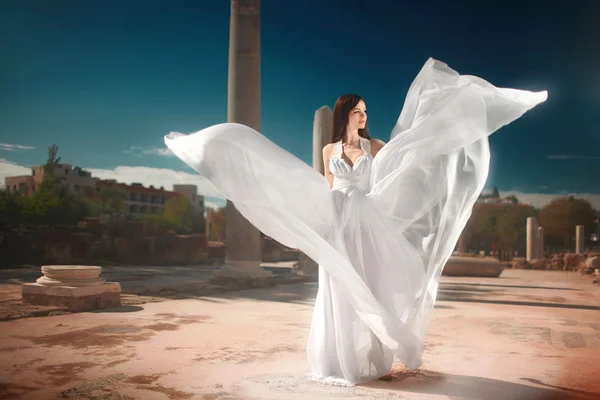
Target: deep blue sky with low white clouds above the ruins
107 81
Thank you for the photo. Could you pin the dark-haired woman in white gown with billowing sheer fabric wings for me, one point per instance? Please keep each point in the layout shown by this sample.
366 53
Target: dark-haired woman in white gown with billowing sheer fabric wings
385 220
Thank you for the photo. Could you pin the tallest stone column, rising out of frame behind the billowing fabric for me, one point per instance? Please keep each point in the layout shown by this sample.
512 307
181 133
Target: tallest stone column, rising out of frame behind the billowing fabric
243 250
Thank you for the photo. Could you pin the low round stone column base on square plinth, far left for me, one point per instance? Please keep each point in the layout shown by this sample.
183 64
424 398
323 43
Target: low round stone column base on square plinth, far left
76 287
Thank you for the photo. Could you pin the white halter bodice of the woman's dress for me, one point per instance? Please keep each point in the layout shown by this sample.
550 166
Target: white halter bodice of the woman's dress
351 176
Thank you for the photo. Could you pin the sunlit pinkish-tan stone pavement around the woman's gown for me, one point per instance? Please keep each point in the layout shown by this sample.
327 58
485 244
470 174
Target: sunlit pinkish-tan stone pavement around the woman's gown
526 335
